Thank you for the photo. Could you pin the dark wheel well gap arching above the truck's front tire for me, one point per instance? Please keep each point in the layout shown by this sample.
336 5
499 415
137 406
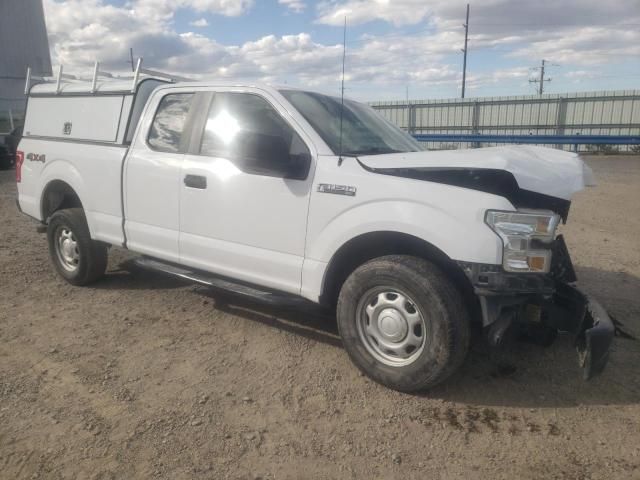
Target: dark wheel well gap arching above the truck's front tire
377 244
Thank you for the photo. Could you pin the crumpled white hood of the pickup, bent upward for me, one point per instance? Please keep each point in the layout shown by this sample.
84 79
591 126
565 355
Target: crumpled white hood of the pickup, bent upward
537 169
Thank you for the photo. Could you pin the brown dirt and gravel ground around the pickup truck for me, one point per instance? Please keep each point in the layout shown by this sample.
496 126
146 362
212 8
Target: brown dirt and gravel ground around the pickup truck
142 376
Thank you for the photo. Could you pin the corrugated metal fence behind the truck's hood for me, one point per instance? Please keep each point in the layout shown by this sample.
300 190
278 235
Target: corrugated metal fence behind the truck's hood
614 113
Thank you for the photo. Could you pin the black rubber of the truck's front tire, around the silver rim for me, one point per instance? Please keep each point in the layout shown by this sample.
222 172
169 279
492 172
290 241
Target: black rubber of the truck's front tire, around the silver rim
446 321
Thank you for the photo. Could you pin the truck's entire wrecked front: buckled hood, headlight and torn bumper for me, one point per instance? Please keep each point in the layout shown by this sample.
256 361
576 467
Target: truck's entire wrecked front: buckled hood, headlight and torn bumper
534 286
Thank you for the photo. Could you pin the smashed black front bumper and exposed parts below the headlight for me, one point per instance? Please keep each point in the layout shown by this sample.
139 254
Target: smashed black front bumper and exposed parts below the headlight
542 304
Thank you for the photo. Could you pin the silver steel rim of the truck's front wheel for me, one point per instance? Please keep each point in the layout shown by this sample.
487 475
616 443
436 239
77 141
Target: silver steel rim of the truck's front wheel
391 326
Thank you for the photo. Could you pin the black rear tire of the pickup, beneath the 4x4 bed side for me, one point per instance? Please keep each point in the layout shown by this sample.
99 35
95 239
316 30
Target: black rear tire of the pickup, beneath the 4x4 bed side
92 256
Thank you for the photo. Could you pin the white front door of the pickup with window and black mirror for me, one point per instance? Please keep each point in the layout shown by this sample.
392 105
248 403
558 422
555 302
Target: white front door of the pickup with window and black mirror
245 192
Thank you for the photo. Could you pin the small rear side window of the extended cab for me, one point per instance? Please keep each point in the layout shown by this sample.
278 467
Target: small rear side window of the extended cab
168 124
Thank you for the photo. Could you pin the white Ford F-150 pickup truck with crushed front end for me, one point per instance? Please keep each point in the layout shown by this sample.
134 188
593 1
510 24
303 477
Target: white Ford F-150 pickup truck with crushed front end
278 192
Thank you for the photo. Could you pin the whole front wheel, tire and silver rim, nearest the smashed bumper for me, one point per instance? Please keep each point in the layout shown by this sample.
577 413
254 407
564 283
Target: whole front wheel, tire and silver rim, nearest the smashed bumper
403 322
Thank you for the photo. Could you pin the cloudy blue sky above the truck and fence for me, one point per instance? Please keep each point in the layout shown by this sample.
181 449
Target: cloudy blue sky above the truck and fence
393 47
